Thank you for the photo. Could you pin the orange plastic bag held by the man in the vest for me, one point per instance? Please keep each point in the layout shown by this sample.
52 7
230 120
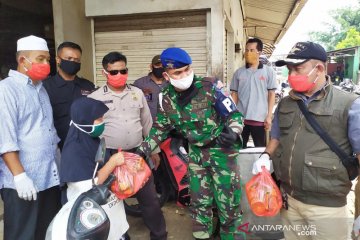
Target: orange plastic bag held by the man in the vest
263 194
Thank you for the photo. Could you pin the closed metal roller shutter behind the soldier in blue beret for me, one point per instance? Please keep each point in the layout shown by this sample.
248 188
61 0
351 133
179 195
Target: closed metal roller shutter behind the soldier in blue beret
139 46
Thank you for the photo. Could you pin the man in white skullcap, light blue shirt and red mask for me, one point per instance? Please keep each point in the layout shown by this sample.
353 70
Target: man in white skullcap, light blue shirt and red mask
29 181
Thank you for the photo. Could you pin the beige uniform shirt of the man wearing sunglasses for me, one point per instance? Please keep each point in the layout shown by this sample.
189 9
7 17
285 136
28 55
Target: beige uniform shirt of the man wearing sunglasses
128 119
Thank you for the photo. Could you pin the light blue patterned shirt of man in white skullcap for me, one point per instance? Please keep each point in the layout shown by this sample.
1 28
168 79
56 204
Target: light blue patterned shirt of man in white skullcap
27 126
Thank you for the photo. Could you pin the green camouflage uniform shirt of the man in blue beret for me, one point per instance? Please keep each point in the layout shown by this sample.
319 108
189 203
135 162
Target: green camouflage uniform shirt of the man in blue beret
197 121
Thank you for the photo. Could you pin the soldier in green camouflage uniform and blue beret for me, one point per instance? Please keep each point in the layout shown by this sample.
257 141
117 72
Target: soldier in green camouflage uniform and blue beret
196 108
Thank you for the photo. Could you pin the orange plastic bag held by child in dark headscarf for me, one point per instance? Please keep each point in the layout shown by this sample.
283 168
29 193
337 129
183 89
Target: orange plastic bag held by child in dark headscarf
131 176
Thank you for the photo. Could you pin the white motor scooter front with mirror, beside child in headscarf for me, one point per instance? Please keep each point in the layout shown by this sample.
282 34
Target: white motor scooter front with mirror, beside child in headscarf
94 213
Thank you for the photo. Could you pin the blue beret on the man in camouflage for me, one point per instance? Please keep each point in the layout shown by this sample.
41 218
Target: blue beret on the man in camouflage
175 58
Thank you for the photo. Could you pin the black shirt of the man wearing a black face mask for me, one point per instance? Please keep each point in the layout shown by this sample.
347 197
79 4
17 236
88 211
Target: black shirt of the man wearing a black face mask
62 93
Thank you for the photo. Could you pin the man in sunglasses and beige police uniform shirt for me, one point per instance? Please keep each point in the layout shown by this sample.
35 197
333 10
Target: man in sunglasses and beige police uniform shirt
127 122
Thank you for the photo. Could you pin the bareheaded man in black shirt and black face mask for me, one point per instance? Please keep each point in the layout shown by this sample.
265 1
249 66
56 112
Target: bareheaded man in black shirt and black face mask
66 86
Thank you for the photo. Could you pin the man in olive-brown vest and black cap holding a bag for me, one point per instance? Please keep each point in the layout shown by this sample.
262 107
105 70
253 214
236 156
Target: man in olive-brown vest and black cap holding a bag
313 178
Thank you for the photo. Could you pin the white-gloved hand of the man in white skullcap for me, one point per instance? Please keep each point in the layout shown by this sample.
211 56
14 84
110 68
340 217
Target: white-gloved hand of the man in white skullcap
25 187
